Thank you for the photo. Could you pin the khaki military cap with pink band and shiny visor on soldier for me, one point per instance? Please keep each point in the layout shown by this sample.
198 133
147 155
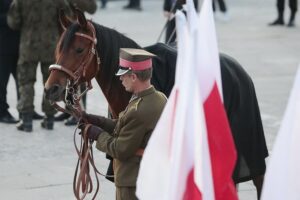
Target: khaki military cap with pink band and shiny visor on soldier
134 60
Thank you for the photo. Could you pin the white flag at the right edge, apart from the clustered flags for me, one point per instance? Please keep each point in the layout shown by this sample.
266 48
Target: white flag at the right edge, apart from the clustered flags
282 179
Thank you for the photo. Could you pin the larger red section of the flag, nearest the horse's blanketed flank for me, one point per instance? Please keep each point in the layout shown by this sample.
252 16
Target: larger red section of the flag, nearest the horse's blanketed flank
221 145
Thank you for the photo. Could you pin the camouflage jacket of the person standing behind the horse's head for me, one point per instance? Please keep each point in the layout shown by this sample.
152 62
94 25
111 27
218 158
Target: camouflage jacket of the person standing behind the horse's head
39 25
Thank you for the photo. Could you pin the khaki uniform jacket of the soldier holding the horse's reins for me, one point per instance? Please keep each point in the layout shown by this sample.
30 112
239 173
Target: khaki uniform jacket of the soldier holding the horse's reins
132 132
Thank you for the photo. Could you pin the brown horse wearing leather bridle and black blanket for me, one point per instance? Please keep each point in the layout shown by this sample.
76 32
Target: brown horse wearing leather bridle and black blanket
87 50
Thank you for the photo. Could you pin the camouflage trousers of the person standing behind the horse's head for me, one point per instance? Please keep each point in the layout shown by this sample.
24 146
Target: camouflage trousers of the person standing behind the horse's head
26 74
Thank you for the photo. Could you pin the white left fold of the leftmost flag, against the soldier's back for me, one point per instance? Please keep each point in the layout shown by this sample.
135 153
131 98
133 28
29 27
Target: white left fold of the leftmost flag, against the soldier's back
156 161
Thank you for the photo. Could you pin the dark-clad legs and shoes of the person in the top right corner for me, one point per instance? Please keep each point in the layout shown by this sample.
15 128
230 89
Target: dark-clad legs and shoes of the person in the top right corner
280 9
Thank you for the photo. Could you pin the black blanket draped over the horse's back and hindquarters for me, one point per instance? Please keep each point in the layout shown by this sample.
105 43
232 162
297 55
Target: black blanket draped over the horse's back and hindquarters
240 103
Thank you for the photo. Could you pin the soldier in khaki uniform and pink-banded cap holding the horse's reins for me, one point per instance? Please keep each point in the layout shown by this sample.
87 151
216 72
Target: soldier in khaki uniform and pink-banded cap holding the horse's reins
125 139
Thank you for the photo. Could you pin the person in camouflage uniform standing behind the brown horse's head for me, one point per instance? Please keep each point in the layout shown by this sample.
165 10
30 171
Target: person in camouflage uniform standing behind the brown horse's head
37 21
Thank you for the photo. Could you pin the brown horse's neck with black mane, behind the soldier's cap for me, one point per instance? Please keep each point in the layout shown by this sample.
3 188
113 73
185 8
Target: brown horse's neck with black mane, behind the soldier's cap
109 43
